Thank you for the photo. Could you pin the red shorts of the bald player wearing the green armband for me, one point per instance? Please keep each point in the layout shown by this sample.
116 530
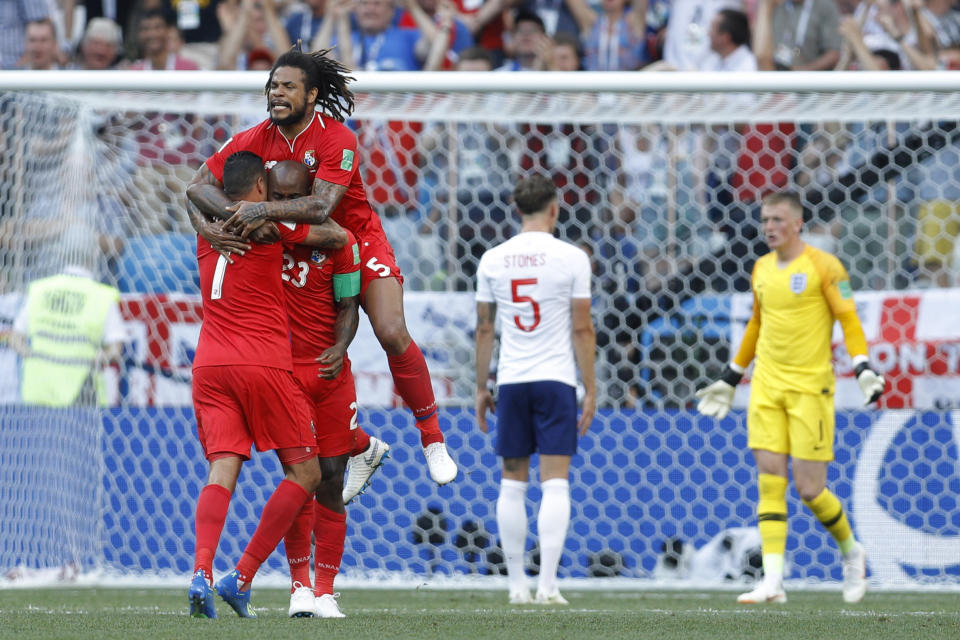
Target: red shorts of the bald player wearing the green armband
334 405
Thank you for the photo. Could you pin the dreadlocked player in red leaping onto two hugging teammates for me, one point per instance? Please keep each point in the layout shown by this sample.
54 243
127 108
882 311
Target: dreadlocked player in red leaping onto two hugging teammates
308 99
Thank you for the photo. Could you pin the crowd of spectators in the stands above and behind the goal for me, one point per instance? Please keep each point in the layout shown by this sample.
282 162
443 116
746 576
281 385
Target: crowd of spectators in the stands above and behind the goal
664 216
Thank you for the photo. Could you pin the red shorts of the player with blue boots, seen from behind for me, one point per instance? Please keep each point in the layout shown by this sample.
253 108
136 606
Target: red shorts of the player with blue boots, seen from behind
242 405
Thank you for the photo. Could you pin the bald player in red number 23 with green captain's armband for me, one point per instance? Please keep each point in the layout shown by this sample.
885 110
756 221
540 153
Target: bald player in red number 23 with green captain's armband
322 290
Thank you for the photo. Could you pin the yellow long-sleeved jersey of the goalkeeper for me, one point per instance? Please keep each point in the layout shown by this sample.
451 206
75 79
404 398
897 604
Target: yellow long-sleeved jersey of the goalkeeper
794 308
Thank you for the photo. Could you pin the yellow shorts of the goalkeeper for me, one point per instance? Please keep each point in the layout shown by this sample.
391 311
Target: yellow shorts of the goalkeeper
791 422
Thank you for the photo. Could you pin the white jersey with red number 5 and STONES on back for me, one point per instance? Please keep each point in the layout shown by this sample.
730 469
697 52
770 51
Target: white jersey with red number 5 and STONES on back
533 278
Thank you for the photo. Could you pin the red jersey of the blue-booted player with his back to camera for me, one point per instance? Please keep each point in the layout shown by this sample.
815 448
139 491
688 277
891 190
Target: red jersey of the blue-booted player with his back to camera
244 313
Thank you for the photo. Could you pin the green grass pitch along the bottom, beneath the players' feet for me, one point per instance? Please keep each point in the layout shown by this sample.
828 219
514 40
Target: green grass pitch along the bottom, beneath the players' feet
104 614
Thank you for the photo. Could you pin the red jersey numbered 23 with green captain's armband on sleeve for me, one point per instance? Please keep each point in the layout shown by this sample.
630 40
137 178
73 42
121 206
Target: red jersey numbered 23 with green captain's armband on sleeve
314 280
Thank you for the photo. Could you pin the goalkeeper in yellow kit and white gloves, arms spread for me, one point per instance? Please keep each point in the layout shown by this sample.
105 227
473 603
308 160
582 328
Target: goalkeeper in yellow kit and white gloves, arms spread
798 292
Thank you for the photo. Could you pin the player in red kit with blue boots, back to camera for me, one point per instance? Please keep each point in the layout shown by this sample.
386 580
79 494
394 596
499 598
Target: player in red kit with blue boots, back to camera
244 394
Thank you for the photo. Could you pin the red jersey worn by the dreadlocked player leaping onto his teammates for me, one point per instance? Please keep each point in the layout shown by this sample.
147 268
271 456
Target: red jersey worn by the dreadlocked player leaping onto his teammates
329 150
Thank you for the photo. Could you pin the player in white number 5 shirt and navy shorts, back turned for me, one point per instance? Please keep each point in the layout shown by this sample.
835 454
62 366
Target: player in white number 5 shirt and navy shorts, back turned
539 289
